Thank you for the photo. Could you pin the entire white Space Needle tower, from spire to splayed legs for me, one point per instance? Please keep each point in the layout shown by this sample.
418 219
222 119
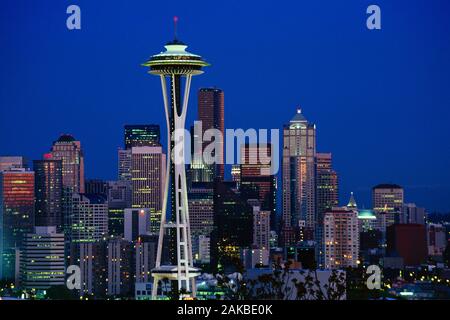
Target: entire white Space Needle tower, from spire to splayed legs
175 65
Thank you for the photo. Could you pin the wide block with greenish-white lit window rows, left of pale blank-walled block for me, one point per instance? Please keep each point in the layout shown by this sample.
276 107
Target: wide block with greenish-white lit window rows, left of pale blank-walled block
89 218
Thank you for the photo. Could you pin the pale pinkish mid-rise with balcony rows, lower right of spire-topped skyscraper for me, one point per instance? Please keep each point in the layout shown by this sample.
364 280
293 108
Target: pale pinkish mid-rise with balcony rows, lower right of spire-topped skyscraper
341 238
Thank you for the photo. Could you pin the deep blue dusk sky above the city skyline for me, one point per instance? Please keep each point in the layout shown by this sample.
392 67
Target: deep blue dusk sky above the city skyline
380 99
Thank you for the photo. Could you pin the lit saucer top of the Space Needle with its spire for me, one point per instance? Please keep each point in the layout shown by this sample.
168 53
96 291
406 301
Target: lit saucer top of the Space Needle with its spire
176 60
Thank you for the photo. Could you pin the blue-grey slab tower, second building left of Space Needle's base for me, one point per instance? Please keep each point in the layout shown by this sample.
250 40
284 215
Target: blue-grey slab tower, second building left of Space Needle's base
120 267
